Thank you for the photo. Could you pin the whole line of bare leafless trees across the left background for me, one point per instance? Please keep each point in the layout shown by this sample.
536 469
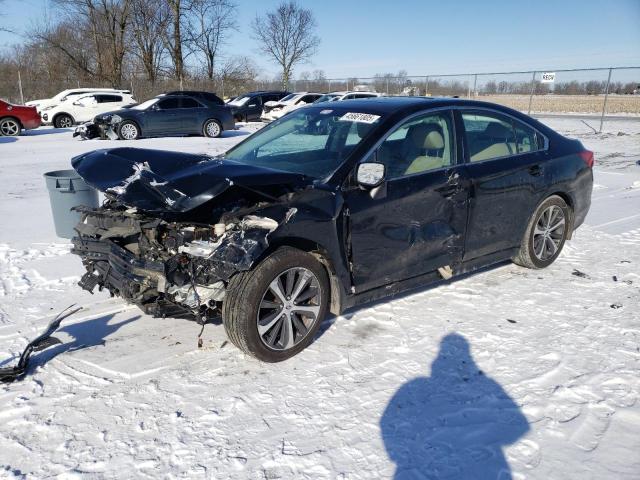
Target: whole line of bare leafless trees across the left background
150 46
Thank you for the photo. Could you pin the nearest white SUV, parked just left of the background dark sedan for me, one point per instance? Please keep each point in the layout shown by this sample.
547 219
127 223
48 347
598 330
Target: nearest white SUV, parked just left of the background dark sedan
84 108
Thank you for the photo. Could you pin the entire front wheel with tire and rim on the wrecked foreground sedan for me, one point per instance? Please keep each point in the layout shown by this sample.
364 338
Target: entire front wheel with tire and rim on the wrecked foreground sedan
273 311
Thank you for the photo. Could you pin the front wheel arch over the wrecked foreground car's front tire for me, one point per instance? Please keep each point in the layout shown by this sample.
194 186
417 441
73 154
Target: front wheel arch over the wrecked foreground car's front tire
336 300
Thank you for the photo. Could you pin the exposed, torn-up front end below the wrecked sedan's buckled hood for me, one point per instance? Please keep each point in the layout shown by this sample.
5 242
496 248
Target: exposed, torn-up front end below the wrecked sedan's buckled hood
167 267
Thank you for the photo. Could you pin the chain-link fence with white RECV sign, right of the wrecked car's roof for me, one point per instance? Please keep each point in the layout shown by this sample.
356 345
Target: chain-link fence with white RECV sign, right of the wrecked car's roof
593 92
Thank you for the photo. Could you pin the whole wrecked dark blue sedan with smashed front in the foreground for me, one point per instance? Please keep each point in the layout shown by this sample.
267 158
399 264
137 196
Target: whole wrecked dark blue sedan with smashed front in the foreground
296 221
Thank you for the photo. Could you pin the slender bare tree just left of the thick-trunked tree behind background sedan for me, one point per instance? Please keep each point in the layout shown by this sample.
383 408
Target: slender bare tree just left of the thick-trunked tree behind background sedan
149 23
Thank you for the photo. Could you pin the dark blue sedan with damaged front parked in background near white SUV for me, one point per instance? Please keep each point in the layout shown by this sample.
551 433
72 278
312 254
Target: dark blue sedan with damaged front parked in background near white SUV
165 115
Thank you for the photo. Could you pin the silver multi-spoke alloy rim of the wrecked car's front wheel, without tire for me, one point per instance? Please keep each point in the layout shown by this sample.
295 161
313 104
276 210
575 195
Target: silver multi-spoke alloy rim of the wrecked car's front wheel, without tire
289 308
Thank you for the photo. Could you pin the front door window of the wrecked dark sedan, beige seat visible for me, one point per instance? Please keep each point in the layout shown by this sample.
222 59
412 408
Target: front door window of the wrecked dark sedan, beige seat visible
419 145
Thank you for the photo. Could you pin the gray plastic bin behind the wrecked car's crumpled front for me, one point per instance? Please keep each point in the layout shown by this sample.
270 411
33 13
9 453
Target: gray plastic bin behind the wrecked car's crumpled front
68 190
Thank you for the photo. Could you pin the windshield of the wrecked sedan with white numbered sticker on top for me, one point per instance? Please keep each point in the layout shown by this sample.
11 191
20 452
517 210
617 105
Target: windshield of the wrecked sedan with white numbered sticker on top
311 141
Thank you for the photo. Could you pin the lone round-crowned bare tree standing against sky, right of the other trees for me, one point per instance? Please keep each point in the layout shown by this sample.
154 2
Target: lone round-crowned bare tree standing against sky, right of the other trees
288 36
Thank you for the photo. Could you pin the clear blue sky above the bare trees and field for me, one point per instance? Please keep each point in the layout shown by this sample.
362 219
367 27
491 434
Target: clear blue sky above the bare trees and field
361 38
